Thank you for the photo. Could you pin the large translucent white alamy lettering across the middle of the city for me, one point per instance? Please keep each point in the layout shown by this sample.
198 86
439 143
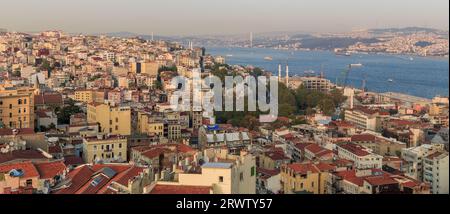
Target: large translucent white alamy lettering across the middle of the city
208 94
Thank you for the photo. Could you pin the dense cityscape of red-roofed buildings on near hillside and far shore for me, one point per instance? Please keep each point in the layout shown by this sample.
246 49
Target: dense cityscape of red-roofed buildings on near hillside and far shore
85 114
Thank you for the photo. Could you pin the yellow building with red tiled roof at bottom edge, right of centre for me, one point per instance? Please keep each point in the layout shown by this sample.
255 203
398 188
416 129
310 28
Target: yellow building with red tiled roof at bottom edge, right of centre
305 178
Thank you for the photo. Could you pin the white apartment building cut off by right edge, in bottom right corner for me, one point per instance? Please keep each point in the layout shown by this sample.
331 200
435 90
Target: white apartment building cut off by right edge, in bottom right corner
435 172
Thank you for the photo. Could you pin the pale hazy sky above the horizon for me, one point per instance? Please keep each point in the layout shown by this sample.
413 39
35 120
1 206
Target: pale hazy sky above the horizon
190 17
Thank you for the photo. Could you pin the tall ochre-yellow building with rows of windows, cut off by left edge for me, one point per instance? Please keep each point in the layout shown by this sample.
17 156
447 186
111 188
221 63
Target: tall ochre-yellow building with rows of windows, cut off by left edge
16 107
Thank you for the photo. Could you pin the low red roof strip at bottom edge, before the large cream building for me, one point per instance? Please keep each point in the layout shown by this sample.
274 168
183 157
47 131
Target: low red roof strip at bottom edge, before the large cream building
180 189
